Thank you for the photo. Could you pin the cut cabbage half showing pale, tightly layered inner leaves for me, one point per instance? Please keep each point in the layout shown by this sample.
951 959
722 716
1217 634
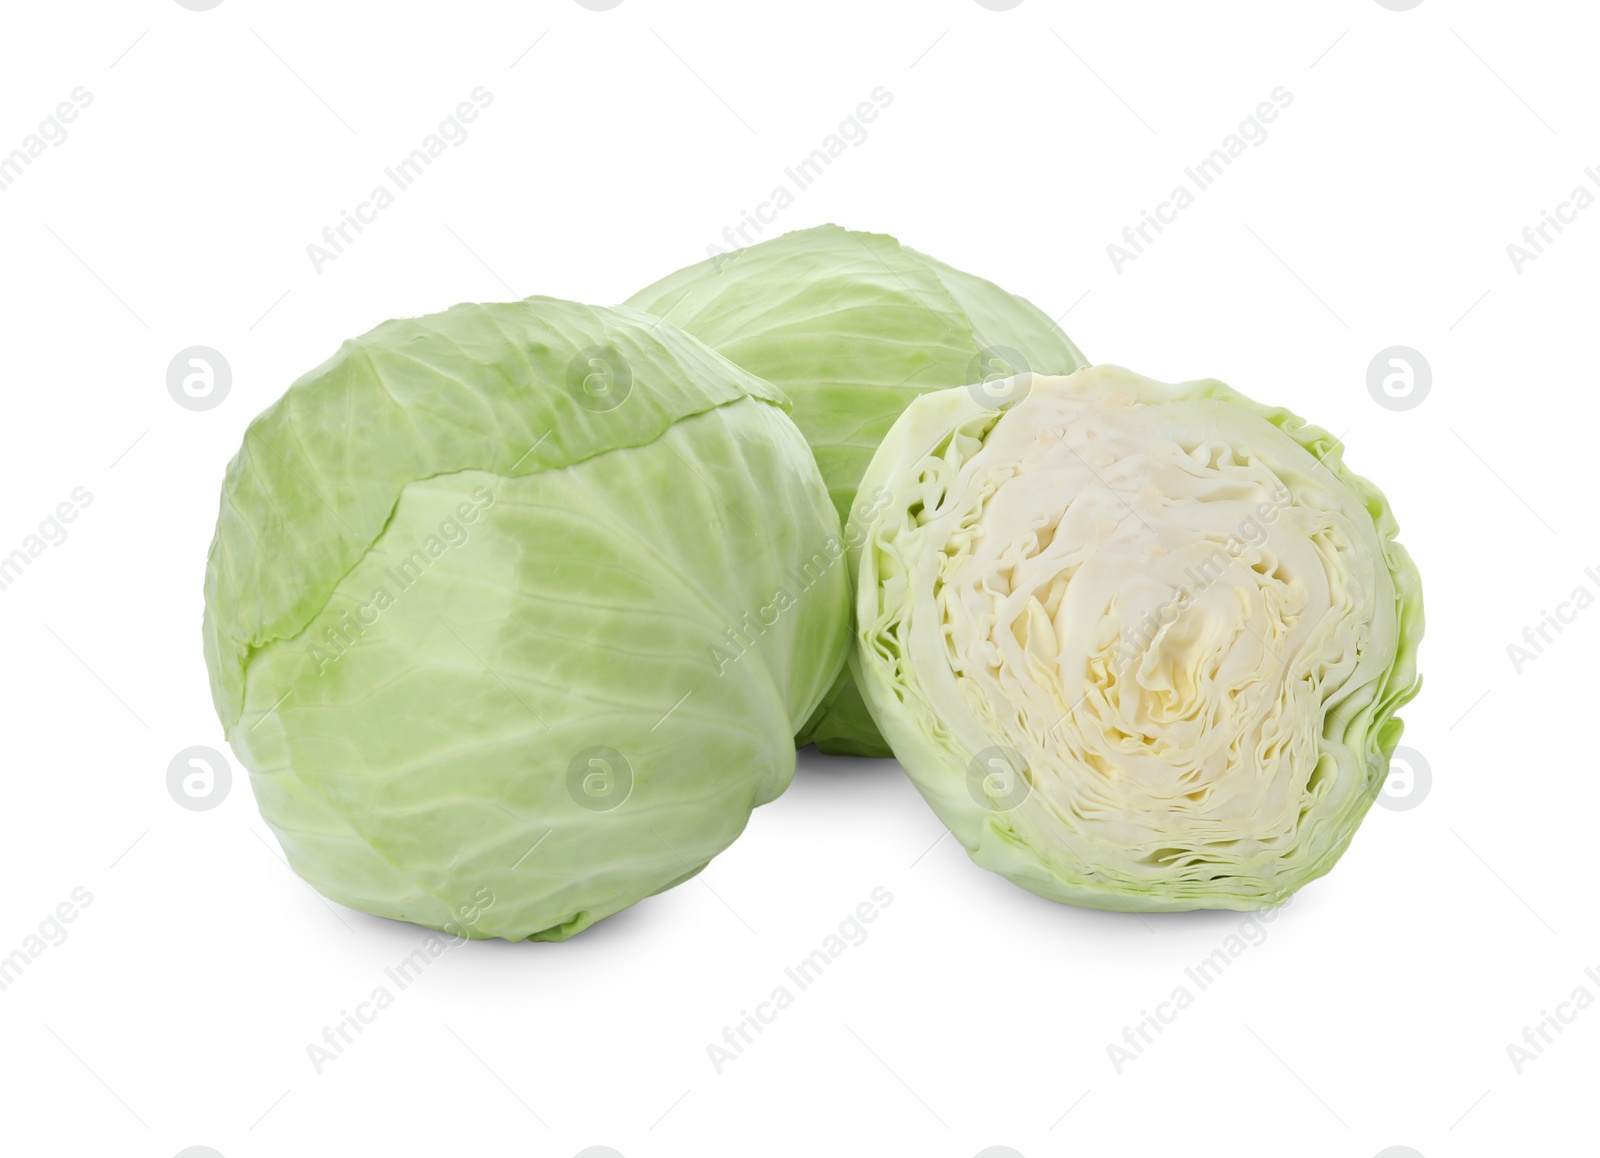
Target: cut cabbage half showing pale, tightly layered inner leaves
1138 645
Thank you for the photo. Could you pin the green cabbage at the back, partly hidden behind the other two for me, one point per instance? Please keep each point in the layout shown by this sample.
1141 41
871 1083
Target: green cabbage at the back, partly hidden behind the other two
854 327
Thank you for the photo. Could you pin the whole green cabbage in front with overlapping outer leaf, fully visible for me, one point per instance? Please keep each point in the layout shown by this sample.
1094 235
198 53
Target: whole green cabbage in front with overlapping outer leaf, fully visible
513 613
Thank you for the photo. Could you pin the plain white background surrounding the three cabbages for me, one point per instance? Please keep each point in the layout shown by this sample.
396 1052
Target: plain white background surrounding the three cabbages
1378 1010
